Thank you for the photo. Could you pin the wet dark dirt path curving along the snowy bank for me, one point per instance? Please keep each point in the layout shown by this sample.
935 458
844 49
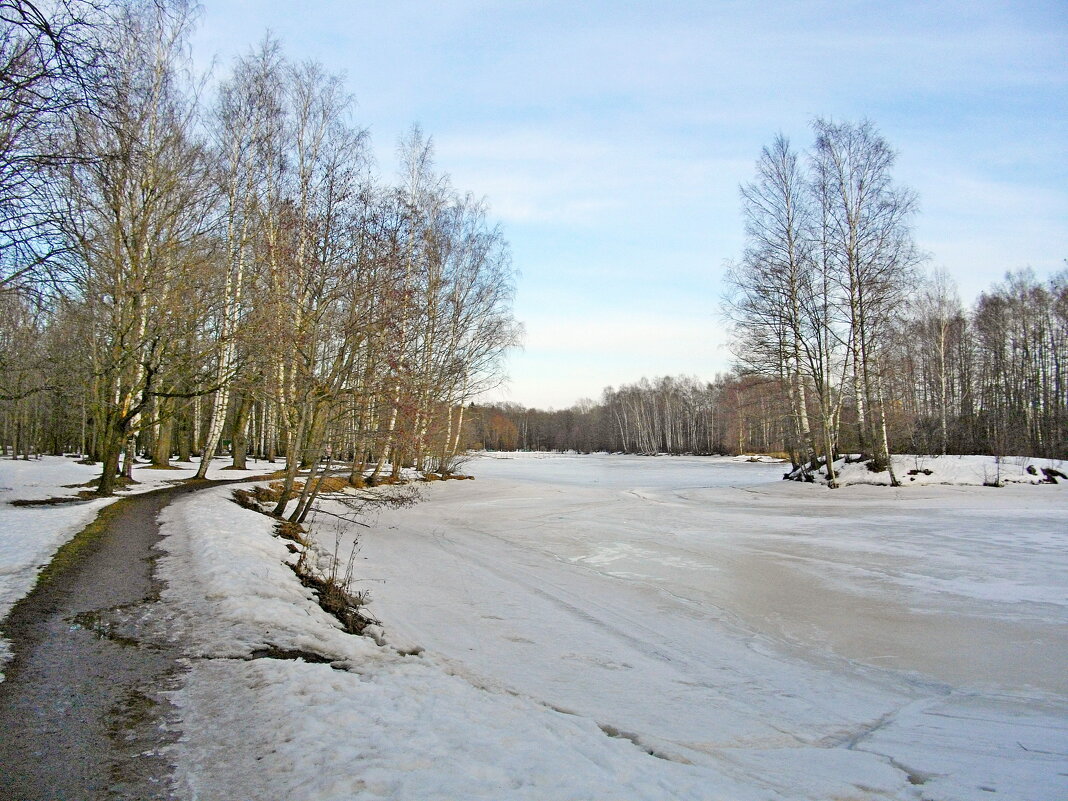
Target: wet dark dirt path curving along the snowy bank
81 708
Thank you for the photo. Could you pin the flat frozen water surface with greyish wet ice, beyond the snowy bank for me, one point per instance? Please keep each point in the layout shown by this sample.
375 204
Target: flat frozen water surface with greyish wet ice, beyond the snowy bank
902 643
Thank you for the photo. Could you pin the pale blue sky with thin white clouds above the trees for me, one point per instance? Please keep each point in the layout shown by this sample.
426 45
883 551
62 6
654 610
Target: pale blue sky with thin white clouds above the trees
610 139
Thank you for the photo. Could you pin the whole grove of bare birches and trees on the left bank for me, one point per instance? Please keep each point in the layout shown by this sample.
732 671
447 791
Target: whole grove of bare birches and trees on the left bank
183 274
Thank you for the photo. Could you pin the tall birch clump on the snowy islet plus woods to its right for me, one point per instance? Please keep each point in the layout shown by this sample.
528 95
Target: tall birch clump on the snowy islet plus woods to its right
867 353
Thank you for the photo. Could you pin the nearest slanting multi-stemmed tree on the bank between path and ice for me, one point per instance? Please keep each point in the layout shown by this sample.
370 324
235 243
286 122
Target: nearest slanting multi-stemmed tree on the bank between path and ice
311 259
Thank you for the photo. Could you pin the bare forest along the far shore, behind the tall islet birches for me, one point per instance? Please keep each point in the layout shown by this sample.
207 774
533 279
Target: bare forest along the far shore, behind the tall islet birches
991 380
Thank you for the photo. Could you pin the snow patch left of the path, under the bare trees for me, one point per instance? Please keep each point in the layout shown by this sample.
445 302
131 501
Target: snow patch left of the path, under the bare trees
30 536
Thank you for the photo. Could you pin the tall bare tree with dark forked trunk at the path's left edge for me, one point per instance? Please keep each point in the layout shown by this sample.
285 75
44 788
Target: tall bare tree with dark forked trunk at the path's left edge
138 219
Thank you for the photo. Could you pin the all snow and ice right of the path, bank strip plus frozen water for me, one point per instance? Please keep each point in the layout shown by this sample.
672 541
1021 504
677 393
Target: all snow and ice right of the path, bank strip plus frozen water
611 627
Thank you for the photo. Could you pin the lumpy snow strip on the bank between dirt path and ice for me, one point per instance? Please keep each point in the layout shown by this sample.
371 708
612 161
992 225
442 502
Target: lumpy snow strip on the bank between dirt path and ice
375 725
